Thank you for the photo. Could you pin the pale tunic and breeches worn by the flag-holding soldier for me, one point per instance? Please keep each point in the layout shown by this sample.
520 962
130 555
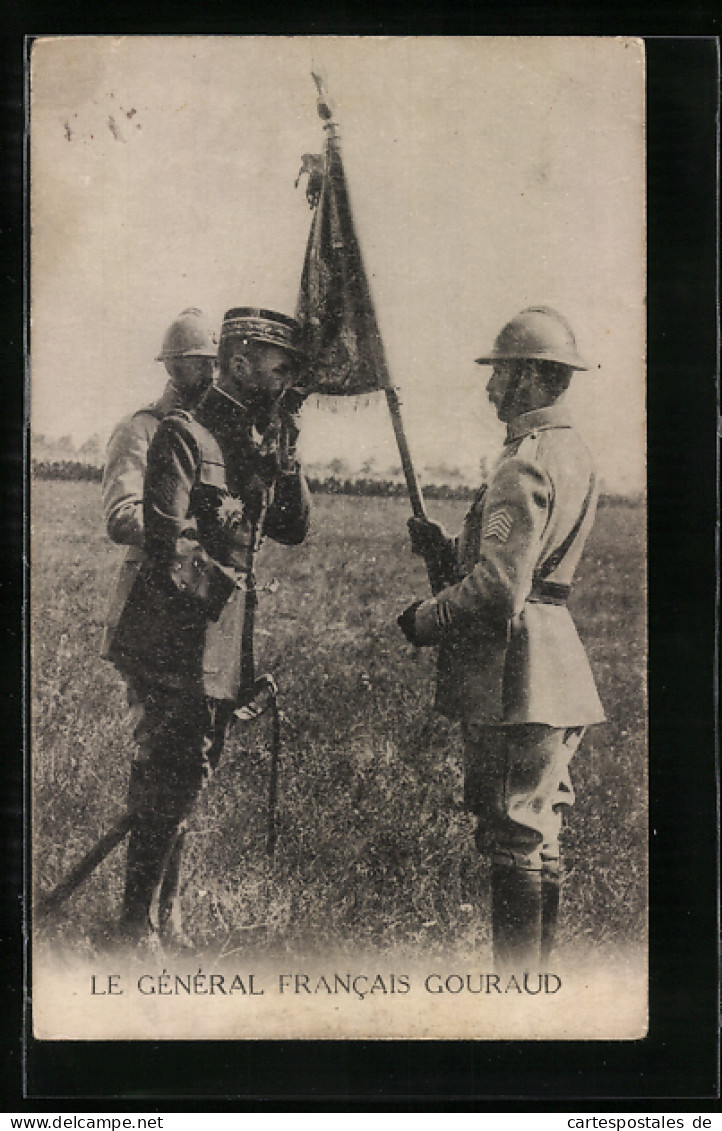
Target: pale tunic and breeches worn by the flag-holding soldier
512 667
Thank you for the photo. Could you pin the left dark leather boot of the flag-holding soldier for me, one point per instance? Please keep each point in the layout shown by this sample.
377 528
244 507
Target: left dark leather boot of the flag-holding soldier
517 918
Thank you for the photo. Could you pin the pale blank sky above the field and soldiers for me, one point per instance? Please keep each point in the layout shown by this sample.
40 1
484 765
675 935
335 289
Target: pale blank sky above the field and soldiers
486 175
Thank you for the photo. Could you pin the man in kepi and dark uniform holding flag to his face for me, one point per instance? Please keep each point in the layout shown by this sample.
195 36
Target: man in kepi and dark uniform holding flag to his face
219 481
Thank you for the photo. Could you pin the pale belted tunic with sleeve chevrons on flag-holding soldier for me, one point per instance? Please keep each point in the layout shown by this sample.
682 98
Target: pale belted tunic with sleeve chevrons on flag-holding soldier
509 654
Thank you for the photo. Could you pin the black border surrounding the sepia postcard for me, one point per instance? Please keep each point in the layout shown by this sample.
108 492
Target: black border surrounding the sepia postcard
678 1061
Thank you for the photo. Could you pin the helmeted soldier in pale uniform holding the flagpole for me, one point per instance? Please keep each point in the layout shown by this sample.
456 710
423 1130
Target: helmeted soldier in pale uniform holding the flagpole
512 668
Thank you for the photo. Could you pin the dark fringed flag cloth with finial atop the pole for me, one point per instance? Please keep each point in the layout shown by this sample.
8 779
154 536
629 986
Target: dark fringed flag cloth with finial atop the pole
339 329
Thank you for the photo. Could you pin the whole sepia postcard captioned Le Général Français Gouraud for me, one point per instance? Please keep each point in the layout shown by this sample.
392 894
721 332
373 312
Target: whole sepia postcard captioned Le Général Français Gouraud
338 511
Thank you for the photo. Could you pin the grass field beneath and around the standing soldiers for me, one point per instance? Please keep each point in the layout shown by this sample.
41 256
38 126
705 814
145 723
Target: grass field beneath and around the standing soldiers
375 851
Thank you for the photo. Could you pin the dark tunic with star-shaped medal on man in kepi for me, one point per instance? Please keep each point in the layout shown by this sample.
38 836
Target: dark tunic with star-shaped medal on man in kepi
201 471
